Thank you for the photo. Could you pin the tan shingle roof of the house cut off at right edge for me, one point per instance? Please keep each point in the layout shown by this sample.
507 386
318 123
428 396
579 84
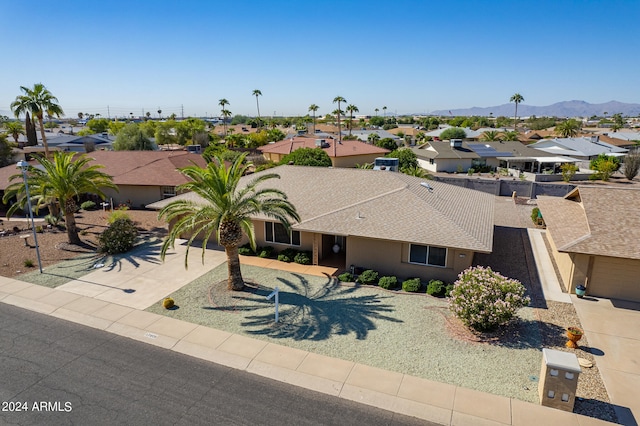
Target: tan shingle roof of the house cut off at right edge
598 221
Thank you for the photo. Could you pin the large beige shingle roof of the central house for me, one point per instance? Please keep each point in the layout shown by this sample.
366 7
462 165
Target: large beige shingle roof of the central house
383 205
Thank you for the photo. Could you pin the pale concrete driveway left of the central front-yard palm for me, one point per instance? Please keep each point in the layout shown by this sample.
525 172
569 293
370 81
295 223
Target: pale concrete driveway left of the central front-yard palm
140 280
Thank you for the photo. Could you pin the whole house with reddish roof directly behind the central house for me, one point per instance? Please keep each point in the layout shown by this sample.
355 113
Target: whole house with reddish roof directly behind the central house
345 154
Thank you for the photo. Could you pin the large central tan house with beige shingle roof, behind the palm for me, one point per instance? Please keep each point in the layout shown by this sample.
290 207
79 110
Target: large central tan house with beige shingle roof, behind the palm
390 222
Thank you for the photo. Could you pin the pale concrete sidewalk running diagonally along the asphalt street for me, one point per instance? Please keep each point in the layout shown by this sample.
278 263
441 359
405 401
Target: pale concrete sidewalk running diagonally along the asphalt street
437 402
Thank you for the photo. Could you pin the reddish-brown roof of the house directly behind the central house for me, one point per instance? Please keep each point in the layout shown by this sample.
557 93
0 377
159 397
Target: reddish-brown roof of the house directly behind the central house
333 149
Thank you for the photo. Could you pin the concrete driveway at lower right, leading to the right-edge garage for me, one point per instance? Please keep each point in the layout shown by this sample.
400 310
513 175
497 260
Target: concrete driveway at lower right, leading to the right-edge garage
612 328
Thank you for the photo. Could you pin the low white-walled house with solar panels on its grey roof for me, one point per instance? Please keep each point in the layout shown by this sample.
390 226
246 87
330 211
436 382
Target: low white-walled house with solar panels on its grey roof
454 156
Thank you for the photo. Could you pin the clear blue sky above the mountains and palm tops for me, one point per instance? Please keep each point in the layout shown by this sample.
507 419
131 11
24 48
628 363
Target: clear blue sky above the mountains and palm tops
411 56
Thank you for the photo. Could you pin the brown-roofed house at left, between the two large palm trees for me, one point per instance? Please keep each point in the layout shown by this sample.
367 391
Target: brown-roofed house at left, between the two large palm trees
142 177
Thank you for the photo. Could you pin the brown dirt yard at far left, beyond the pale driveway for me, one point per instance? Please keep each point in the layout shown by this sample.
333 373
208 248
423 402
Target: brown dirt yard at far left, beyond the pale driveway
53 242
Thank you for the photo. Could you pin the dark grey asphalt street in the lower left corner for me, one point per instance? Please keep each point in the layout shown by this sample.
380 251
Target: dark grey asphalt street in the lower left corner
53 372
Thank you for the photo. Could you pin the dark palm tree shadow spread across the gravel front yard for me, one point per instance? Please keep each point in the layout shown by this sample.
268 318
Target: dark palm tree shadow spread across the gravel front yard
308 314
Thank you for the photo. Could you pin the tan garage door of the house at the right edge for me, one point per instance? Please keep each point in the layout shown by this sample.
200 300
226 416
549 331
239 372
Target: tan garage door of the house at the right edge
615 278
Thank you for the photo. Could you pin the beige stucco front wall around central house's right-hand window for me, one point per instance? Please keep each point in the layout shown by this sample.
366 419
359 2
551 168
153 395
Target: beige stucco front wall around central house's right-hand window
392 258
